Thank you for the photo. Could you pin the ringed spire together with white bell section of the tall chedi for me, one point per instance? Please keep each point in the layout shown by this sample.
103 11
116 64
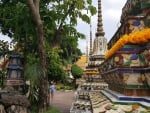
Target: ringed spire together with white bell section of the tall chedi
100 42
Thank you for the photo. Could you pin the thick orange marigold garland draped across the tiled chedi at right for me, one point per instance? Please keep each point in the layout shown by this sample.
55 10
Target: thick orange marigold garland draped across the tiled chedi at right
138 37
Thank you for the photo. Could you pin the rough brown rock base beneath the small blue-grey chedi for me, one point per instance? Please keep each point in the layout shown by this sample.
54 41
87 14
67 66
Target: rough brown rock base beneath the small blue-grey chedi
12 101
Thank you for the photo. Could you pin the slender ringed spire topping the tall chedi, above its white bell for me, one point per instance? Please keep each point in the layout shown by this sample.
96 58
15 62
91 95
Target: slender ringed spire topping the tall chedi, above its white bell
100 31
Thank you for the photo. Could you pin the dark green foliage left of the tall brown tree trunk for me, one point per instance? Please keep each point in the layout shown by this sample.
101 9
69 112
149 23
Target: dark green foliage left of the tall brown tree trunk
17 23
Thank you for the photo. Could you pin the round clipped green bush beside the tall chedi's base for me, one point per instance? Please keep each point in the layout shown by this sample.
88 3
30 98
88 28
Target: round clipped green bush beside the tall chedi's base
76 71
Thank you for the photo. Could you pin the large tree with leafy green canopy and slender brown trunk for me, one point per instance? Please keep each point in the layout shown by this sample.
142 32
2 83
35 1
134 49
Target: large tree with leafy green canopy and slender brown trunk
51 23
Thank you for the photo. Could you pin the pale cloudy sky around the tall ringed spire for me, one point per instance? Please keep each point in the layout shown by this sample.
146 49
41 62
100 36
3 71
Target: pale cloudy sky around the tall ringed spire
111 12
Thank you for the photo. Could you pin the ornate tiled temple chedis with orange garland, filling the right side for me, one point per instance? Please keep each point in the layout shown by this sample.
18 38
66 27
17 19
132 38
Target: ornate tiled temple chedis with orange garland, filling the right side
118 72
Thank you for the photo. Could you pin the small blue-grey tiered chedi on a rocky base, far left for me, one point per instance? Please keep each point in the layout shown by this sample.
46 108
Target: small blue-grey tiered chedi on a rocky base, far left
12 97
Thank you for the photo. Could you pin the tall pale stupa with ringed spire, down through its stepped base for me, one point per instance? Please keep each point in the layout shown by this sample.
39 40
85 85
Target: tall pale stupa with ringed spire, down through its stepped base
94 82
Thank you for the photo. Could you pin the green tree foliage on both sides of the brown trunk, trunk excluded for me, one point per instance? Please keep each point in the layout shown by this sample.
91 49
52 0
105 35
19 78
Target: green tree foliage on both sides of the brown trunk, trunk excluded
59 19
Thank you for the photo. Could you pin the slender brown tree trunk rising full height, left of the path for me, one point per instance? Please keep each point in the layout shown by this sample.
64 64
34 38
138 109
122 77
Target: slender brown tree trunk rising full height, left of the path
44 85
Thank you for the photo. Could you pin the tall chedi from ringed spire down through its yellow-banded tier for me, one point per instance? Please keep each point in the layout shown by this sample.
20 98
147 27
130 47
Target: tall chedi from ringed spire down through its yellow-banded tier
97 52
